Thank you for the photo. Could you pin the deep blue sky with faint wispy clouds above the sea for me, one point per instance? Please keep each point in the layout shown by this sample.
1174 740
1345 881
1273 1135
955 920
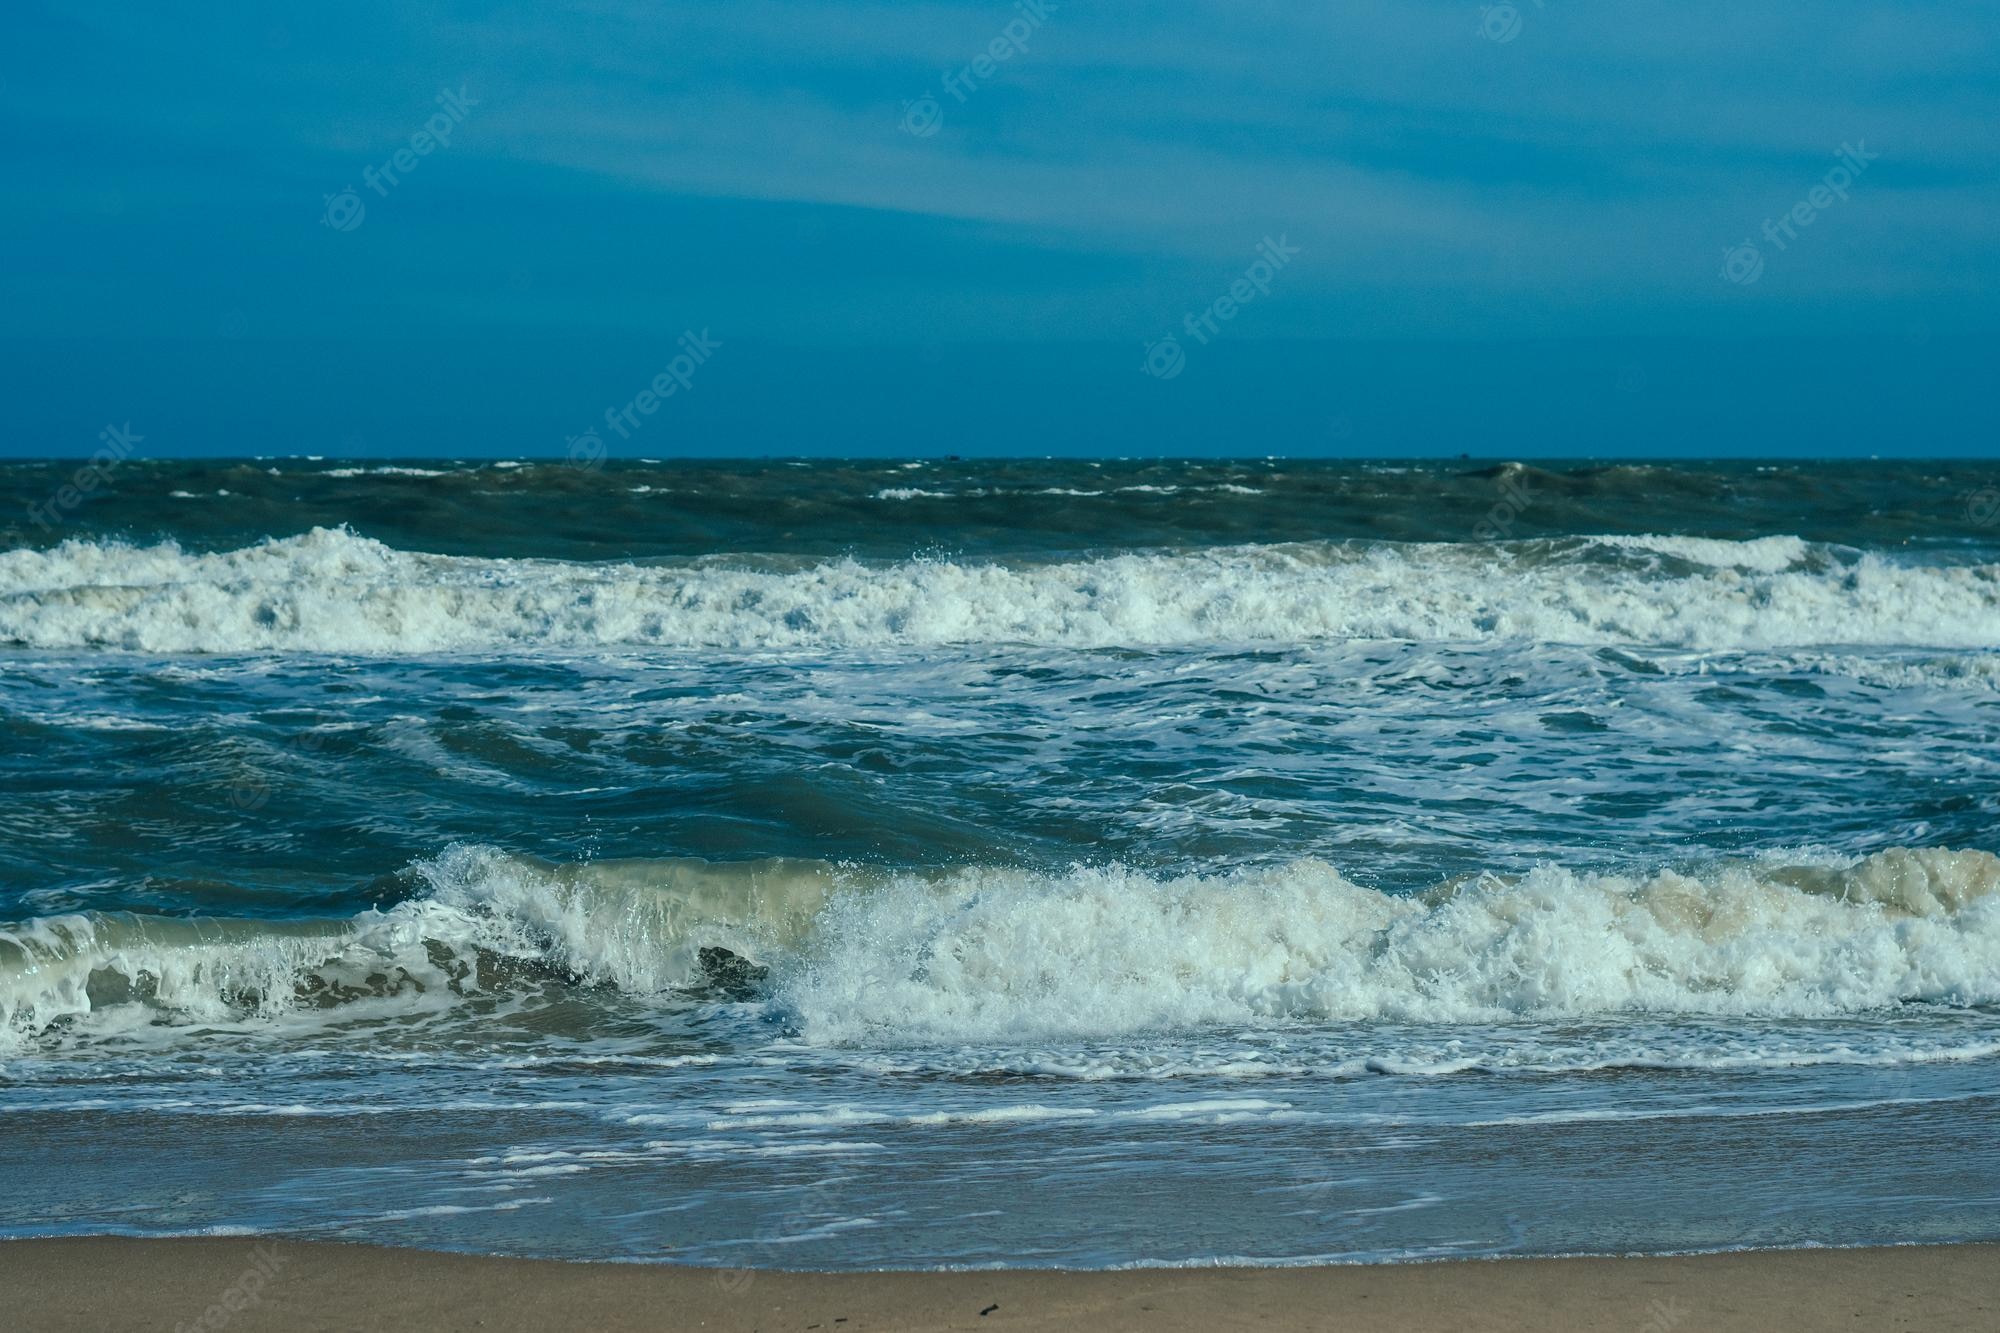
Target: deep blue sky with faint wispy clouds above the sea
897 245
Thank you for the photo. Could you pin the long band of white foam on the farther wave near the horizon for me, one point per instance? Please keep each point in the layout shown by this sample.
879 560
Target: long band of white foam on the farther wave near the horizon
331 591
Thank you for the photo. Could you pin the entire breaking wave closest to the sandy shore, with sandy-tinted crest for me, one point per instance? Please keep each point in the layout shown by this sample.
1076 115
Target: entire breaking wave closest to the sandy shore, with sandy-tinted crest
993 954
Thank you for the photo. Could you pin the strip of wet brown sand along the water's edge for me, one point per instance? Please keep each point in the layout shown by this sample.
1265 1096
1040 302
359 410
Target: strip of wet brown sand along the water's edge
255 1284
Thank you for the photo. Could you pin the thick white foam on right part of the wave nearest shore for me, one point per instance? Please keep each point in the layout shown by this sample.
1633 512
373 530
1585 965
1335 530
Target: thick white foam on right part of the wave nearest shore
1105 952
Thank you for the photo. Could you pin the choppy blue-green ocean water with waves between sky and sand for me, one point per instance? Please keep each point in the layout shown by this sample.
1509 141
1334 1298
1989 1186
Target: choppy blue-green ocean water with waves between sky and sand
1003 864
